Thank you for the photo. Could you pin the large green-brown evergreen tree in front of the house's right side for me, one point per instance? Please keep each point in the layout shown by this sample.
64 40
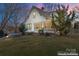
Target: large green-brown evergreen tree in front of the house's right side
62 20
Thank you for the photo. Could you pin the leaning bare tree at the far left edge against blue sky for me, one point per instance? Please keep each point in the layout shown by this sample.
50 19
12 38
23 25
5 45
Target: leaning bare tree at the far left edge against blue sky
6 15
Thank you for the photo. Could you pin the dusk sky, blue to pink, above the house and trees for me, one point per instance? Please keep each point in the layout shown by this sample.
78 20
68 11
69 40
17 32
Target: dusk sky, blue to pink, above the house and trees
39 5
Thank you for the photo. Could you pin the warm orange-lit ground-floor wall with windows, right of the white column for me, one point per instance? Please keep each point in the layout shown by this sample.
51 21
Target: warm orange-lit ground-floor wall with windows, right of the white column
47 25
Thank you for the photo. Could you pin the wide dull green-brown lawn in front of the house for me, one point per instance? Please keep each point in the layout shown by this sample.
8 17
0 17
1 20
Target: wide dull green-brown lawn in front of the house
35 45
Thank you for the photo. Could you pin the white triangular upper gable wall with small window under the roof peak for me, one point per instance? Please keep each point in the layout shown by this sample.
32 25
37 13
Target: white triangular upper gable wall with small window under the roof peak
35 17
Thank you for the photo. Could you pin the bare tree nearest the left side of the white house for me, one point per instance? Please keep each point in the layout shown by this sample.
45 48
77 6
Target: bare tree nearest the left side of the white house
19 16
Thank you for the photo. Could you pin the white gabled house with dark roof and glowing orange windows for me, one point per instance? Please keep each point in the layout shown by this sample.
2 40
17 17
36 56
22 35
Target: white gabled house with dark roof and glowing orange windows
38 19
